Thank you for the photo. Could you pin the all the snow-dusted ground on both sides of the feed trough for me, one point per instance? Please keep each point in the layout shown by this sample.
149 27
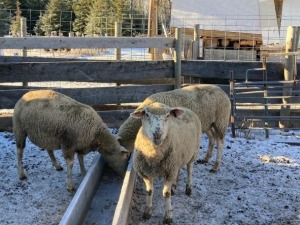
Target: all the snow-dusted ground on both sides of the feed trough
258 184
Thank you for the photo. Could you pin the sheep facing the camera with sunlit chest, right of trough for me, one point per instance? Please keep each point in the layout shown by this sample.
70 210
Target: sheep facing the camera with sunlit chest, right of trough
168 139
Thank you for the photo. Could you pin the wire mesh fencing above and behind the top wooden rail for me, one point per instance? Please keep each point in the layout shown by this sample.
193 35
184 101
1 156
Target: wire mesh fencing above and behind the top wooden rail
240 38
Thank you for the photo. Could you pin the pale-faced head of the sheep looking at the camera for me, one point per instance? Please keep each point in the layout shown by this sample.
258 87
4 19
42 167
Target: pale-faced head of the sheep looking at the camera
156 119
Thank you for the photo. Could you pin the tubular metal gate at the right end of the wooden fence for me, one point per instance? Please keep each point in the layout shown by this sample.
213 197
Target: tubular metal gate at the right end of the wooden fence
264 99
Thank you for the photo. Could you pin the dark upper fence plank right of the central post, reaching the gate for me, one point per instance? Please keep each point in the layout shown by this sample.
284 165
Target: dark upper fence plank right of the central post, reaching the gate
221 69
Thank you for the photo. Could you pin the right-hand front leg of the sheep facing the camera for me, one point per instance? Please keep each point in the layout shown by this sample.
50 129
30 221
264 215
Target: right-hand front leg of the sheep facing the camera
168 218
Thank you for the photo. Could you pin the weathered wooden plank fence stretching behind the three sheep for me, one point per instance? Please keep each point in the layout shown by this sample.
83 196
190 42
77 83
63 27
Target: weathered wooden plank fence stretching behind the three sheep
130 82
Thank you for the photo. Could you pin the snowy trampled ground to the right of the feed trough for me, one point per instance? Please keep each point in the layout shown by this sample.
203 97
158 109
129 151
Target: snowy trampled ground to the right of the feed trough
258 184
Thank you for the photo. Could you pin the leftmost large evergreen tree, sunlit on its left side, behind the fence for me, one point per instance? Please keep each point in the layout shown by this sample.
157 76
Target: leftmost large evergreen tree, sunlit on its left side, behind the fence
56 18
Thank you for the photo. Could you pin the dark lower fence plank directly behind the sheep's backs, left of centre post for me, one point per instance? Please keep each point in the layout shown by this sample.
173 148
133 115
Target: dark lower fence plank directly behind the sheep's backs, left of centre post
92 96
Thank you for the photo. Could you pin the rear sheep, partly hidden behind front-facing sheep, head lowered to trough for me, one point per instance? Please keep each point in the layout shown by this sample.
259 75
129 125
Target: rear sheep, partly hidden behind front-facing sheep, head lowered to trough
209 102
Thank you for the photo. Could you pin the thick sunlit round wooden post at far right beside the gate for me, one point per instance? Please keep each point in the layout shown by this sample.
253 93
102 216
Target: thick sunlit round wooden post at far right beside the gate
291 45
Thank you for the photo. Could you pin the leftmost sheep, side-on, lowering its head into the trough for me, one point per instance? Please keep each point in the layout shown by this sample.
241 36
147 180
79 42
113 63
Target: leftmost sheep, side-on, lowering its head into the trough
53 121
